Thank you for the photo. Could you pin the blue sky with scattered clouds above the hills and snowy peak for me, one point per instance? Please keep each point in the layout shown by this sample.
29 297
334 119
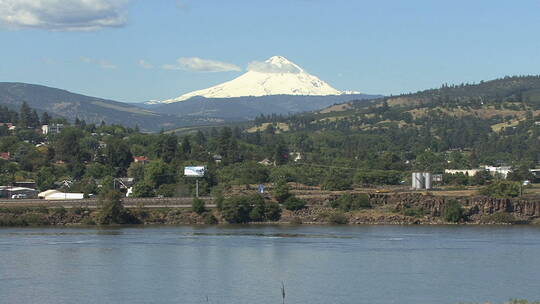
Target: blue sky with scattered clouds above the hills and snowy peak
140 50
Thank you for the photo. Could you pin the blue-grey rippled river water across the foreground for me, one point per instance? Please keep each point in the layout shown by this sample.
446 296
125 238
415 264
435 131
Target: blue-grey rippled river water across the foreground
247 264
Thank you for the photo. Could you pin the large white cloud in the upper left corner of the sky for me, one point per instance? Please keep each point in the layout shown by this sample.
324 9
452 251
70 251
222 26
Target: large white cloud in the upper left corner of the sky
63 15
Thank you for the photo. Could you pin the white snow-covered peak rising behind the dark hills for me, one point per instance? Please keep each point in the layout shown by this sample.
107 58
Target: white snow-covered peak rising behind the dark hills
275 76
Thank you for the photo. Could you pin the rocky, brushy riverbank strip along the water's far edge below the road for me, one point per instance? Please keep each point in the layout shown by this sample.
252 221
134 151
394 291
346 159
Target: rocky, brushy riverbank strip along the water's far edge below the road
380 215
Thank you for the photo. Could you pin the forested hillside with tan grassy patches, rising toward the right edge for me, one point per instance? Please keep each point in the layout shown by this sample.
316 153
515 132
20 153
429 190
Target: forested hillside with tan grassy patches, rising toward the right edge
493 122
